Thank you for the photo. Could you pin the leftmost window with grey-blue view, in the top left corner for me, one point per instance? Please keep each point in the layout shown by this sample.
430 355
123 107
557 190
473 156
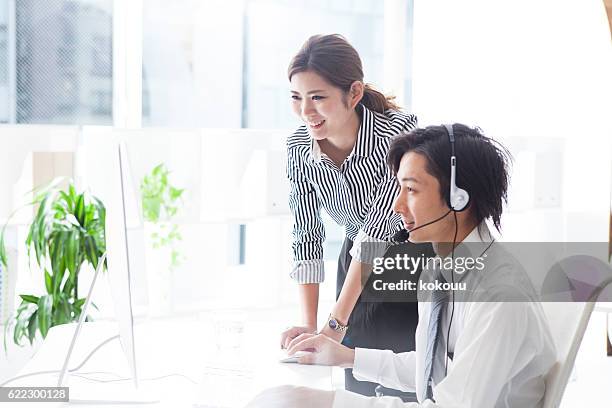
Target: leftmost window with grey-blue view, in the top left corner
59 60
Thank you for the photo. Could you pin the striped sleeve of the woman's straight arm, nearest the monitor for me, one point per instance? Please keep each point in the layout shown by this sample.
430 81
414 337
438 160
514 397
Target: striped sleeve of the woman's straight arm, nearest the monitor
308 230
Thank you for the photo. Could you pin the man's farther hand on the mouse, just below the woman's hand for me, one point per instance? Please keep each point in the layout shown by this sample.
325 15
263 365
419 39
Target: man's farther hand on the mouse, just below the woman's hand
324 350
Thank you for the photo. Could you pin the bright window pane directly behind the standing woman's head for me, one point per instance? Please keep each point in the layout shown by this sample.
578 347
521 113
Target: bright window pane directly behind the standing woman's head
276 29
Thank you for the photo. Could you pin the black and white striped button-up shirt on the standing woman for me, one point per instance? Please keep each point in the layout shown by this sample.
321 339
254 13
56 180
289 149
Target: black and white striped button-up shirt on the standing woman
358 195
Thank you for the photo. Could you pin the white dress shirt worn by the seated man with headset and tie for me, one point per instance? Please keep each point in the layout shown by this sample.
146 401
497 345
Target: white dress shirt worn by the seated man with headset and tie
503 350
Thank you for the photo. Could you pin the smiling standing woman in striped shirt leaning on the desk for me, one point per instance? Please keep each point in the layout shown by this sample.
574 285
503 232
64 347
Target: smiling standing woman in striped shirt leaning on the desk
336 161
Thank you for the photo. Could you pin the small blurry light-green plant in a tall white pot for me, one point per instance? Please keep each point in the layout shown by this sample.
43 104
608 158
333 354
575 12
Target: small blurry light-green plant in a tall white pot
160 204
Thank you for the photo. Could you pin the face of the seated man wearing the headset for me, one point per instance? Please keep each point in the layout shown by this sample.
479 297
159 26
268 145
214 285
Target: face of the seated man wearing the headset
419 201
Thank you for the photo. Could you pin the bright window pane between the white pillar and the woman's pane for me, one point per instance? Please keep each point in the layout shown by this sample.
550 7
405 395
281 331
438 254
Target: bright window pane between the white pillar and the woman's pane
192 63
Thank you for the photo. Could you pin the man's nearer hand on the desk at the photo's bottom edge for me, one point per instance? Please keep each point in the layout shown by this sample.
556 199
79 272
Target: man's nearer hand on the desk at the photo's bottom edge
290 396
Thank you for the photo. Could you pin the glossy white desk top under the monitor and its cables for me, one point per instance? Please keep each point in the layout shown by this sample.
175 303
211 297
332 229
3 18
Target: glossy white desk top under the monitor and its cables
229 368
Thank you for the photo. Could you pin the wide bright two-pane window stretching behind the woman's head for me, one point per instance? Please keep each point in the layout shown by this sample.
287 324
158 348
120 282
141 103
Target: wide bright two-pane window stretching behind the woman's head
223 63
